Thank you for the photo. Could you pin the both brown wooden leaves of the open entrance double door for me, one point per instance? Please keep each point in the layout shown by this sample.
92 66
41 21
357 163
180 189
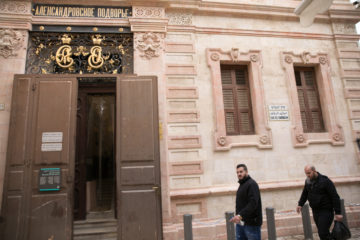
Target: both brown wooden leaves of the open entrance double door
46 105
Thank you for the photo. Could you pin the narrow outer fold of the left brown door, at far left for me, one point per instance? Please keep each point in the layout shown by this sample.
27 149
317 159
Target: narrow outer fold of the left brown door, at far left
17 167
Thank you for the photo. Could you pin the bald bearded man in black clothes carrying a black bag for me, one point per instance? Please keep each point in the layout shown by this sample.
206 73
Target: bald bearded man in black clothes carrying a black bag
321 193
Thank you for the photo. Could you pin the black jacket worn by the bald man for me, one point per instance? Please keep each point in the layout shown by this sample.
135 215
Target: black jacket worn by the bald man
321 194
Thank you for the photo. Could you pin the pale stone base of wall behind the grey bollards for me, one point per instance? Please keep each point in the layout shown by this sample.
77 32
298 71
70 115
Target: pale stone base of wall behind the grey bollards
287 223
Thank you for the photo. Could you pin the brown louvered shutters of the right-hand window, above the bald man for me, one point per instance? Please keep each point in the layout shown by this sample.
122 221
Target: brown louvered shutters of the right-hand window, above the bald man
308 94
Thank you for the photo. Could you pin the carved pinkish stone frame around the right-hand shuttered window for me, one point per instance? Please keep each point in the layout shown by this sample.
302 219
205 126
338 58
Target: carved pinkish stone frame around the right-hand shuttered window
320 62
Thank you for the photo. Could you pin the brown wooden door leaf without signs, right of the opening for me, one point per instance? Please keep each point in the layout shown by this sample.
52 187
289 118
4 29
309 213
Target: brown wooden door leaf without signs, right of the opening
137 159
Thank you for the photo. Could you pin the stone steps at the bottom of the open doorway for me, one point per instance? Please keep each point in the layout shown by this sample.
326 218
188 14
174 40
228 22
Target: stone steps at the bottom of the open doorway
95 229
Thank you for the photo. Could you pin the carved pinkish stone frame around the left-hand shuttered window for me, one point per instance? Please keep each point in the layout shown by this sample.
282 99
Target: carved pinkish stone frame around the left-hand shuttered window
262 137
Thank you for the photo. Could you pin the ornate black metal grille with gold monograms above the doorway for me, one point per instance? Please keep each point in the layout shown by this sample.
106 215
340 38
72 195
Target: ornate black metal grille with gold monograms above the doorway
79 53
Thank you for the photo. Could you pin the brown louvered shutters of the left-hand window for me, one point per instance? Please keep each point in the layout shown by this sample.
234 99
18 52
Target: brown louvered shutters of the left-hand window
237 100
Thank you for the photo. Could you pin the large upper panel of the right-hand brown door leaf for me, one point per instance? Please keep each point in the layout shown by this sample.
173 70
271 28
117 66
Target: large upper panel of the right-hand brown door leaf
137 122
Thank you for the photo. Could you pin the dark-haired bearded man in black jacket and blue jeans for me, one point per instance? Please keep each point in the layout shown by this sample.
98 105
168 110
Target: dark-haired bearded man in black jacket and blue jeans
248 217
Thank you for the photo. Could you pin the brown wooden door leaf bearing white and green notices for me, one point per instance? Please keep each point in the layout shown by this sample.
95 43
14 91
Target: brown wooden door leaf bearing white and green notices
42 106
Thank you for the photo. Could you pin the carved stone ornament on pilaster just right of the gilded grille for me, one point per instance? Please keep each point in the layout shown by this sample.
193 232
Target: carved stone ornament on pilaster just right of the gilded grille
149 44
